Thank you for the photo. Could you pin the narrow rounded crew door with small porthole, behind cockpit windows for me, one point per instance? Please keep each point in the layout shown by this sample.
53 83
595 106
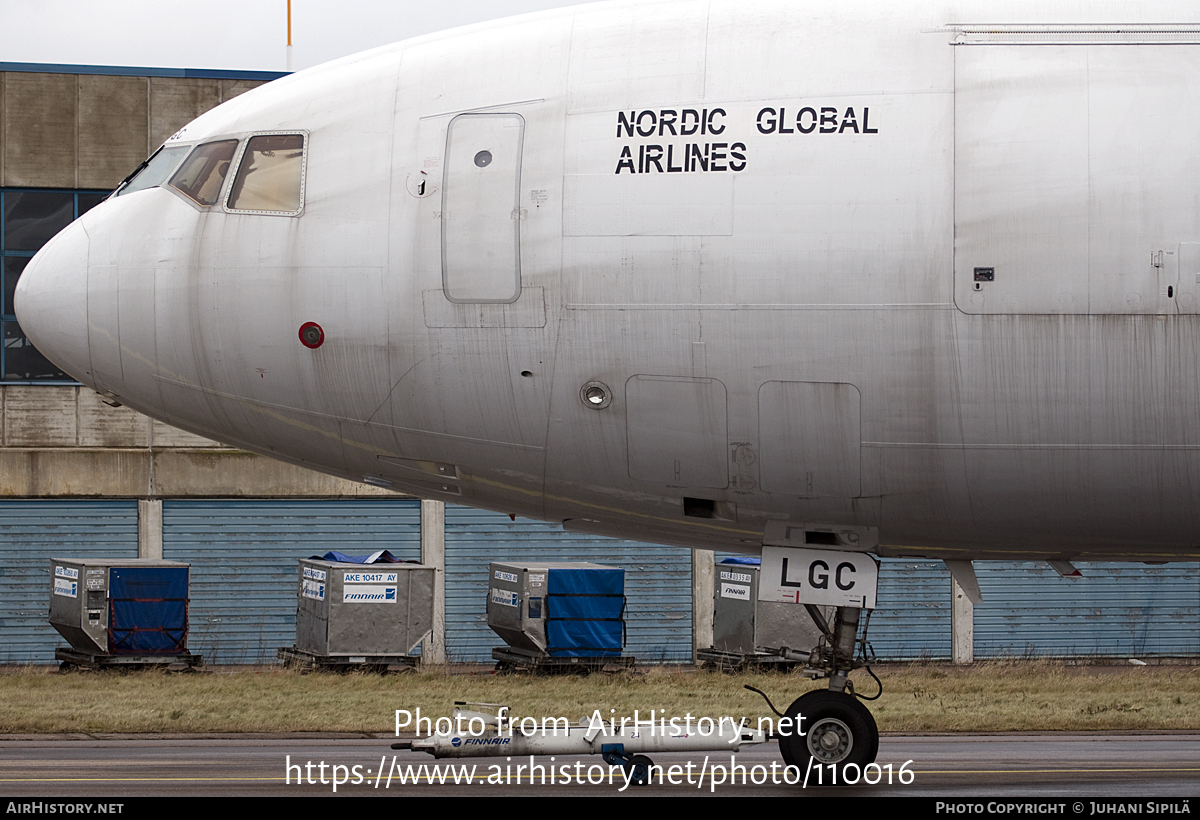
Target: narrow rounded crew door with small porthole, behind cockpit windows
482 210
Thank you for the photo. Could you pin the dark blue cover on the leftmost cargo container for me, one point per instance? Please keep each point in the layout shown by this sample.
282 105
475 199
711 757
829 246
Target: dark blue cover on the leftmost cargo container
148 610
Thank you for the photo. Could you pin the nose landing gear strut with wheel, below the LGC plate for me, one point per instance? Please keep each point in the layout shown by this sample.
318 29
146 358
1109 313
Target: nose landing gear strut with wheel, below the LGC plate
837 728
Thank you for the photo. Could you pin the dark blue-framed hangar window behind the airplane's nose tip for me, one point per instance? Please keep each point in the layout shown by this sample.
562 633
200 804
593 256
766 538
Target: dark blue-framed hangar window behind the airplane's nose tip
29 218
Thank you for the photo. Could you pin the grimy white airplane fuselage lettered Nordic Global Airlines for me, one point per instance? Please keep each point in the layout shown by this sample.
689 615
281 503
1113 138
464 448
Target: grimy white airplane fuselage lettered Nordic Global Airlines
859 276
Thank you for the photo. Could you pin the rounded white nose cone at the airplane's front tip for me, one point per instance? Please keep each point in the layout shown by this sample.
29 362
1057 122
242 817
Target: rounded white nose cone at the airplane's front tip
52 302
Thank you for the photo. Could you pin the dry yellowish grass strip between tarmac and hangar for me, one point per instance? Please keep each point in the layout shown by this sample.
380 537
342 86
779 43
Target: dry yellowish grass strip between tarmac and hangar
1007 697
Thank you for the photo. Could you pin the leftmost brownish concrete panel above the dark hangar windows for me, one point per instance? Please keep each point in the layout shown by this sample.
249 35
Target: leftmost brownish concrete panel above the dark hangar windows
40 130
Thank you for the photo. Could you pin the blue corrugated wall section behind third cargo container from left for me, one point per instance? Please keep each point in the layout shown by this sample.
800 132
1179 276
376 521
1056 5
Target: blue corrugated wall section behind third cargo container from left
658 582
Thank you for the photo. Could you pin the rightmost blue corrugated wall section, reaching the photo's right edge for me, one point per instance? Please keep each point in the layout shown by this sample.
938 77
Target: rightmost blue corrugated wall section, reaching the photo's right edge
1114 610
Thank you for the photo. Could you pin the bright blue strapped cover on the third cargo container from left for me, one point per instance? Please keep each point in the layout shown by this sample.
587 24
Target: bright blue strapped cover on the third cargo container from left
585 613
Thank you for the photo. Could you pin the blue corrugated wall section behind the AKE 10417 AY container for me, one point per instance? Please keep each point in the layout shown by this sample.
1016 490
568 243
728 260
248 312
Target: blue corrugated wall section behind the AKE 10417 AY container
244 556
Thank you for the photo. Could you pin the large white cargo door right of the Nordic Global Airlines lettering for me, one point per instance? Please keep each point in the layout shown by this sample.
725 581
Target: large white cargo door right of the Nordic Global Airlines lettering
1076 169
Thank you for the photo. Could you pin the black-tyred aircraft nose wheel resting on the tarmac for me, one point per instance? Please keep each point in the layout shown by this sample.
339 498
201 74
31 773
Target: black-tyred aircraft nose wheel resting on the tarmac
838 729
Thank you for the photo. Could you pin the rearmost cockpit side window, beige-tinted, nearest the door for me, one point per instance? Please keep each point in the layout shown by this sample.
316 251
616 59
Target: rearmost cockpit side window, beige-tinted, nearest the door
271 177
